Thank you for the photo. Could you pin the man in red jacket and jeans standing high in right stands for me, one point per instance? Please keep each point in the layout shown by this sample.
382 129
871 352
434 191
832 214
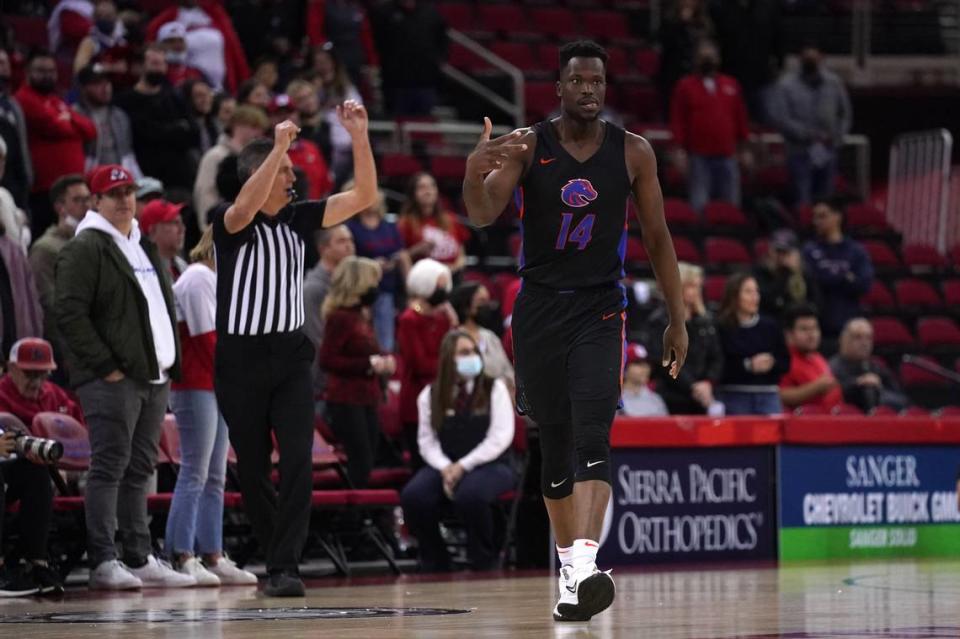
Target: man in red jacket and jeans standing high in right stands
708 118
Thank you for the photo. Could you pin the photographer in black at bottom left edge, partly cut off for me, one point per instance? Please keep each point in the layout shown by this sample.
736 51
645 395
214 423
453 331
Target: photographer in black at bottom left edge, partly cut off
27 480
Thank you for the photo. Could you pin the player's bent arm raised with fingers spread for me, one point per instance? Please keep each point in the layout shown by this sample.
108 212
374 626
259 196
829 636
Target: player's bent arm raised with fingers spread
493 170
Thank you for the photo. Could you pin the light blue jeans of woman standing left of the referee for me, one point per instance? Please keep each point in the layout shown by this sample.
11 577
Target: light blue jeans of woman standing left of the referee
195 524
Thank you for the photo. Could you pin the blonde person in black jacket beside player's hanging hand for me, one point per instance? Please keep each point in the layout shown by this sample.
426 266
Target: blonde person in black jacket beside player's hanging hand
691 393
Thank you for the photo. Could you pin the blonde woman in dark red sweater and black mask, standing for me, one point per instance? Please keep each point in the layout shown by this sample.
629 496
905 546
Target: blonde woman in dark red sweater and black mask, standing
353 363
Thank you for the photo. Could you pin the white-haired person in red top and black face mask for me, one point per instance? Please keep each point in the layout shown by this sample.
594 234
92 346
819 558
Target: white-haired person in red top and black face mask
420 330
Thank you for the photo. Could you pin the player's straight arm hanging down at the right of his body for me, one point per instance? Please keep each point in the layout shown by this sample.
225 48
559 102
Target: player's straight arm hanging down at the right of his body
642 164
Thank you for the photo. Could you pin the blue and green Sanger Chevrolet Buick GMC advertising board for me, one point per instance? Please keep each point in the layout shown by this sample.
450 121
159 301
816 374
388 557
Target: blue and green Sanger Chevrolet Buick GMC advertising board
868 501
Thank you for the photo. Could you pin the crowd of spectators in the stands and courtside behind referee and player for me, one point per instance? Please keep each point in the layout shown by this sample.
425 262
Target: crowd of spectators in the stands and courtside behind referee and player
149 126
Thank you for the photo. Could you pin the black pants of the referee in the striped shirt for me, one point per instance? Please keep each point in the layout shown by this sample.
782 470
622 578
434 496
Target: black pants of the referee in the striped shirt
263 383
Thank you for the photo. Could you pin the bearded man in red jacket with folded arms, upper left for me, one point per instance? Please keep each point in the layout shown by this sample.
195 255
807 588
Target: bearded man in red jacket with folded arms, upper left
55 133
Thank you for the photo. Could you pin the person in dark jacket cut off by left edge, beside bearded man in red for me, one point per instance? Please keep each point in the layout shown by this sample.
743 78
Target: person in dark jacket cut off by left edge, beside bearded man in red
18 175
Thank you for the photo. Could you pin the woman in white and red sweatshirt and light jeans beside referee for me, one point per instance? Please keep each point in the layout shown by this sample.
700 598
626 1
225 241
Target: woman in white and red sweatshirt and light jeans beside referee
194 535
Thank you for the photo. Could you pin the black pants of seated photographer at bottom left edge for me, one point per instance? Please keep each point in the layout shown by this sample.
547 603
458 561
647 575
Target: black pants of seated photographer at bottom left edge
28 483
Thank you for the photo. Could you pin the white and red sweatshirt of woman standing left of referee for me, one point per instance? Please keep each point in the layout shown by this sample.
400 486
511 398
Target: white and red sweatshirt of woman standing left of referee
195 296
